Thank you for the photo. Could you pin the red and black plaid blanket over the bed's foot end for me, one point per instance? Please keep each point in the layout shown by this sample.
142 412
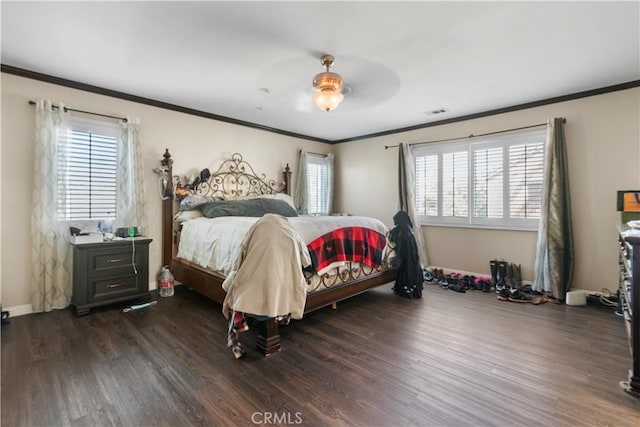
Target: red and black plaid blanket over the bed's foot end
357 244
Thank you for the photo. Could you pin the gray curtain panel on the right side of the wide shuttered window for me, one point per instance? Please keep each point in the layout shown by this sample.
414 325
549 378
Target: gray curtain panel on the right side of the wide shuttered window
553 269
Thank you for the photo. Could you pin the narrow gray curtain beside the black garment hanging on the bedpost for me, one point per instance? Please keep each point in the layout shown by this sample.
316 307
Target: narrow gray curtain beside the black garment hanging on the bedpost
407 196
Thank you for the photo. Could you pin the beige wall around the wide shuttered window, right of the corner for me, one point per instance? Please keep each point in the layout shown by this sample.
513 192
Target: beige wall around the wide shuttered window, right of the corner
603 144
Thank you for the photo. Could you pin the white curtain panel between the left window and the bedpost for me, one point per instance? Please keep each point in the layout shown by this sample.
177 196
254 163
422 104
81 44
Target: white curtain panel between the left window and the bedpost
131 201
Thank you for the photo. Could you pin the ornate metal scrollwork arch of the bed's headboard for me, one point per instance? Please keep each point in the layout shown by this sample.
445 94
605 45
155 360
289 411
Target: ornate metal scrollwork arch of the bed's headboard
234 178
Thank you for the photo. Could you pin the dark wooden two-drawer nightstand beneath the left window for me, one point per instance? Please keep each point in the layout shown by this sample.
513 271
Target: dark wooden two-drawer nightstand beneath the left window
108 272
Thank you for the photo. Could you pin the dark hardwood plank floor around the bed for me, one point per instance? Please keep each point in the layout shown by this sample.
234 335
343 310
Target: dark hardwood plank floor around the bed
449 359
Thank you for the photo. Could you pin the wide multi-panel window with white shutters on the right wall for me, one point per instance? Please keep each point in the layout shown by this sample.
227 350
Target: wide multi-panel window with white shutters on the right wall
494 181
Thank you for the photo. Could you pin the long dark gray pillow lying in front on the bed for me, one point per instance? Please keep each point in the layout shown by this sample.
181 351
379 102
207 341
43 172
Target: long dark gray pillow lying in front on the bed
247 207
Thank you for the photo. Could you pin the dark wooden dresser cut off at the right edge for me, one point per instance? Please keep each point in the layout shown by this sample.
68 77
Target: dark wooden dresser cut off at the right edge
630 301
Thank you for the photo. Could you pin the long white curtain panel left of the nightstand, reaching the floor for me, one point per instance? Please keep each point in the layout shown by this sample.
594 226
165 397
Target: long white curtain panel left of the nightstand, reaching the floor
51 286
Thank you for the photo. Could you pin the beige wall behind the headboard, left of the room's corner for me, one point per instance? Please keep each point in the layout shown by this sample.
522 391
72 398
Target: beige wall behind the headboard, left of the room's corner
194 142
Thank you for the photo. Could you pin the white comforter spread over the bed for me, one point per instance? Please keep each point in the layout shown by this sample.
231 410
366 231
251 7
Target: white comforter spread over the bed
214 243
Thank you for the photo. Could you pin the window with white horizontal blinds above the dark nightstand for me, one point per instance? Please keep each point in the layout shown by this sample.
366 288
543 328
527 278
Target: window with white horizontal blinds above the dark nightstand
87 167
